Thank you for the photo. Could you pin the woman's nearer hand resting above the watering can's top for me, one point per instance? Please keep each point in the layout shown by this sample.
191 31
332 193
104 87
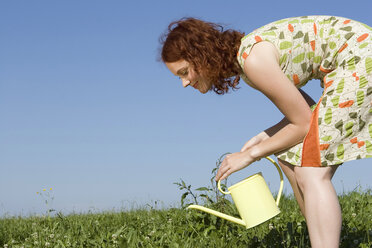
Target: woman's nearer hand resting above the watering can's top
234 162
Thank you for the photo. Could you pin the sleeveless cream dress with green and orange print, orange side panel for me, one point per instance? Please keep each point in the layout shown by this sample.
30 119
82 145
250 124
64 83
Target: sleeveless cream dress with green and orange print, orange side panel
338 51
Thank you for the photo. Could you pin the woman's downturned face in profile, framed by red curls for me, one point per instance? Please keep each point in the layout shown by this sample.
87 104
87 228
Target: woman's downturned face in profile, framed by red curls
188 76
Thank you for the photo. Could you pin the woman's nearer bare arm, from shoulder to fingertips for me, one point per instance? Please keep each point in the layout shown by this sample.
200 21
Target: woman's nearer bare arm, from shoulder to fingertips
263 70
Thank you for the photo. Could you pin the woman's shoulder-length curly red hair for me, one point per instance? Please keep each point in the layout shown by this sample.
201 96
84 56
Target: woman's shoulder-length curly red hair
207 47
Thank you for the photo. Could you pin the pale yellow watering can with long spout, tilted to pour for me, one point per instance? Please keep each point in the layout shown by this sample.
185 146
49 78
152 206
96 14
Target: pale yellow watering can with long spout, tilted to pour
252 198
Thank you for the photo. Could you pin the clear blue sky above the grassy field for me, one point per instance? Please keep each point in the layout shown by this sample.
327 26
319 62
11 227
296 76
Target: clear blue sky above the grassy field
88 111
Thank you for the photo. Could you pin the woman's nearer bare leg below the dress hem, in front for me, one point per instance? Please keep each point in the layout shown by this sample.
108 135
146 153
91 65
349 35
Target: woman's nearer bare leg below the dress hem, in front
323 212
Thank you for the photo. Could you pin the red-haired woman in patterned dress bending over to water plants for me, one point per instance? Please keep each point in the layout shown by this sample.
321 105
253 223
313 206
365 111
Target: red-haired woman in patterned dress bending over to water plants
278 59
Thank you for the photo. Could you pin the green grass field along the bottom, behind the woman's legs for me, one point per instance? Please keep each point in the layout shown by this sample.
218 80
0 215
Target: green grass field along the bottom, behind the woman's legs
177 227
